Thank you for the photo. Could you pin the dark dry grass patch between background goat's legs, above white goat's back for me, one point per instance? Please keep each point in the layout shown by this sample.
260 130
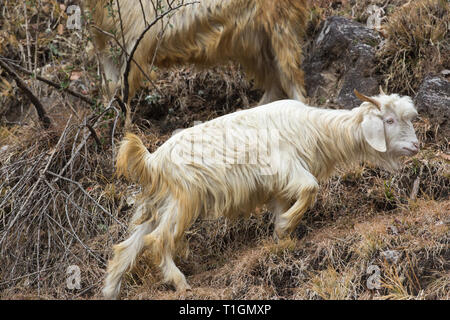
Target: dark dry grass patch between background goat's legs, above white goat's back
191 95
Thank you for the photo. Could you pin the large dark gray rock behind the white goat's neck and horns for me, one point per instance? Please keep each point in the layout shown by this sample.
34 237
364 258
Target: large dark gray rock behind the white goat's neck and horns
341 59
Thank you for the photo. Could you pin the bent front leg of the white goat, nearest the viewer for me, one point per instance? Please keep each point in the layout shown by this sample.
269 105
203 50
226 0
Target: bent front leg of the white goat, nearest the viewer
286 222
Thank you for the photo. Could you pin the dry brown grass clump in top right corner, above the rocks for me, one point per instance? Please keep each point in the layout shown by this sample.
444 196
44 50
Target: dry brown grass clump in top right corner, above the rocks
417 43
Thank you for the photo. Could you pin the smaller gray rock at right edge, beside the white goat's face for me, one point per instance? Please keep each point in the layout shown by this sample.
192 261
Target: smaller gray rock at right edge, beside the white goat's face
433 100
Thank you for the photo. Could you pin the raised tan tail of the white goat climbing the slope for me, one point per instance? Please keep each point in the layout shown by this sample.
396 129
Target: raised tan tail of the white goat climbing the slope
133 160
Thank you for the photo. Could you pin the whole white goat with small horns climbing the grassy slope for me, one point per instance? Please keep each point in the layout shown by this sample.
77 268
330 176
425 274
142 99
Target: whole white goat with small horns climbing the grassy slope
228 166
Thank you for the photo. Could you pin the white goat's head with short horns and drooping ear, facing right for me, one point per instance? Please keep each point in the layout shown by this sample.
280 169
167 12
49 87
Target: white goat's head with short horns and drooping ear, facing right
388 128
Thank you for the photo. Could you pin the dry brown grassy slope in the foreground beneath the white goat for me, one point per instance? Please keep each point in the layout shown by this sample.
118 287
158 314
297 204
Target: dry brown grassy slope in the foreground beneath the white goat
329 262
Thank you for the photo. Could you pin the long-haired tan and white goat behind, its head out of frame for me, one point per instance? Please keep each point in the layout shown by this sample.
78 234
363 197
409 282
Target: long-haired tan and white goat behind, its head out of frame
264 36
